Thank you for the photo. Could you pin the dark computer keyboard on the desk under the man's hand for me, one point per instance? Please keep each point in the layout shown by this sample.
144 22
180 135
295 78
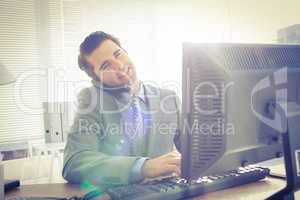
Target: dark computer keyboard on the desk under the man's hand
172 188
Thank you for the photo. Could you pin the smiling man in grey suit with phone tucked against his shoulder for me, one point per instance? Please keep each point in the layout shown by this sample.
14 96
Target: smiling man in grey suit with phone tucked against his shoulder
124 129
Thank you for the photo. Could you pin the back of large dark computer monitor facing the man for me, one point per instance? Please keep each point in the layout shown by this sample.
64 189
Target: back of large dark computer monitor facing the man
230 92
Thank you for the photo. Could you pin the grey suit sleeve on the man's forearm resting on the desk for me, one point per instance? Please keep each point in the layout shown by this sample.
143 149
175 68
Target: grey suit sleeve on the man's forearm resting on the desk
98 168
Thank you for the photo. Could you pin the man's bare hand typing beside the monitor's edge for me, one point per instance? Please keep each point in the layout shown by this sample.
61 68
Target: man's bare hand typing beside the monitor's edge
162 165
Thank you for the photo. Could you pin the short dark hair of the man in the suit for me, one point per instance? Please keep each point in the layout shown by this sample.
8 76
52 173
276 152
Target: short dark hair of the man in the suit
90 43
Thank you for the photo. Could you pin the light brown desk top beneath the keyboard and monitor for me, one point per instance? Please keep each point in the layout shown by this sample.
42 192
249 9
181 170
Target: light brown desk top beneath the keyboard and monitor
257 190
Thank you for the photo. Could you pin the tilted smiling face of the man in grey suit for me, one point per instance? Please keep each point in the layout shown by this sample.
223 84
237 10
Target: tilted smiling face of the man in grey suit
112 65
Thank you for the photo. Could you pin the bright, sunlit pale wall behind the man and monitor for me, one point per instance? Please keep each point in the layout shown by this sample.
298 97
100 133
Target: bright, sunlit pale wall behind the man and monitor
153 31
